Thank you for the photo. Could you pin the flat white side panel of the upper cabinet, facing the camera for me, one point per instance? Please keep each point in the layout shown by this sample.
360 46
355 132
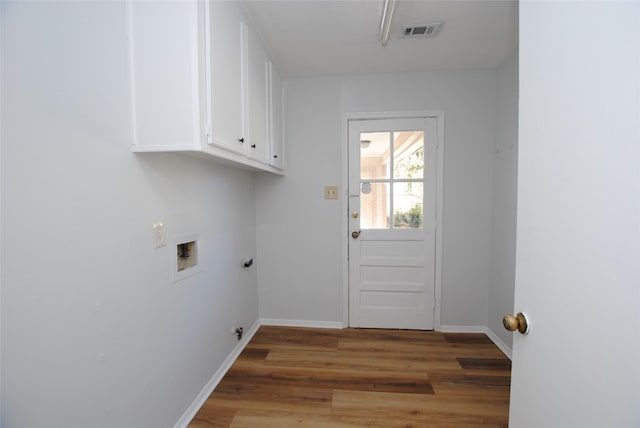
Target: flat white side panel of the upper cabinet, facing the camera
168 93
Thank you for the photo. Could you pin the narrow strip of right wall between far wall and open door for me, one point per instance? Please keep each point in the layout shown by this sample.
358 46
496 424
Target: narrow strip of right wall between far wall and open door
505 179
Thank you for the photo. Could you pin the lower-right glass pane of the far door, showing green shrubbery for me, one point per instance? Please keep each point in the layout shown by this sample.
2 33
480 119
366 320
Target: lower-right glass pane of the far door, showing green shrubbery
408 205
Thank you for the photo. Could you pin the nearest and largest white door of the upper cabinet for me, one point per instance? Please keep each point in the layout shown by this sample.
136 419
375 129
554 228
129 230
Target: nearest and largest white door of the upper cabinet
227 92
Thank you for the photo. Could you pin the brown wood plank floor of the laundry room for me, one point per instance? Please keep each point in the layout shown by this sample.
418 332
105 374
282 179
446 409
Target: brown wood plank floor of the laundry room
351 378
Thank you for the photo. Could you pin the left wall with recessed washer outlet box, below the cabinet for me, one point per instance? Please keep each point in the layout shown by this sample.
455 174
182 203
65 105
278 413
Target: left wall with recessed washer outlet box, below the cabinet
94 332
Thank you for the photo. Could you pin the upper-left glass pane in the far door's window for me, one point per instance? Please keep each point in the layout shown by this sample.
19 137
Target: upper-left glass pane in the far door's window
374 155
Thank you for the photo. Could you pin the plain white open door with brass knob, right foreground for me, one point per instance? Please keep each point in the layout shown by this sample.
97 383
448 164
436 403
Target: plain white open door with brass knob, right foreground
578 233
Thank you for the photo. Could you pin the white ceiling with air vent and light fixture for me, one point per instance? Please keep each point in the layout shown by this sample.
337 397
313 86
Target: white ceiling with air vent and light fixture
328 37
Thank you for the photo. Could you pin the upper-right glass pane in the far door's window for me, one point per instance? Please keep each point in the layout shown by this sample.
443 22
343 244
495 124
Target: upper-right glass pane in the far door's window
408 154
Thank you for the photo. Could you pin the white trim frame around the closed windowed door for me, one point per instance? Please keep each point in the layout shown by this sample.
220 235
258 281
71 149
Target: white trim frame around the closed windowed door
439 116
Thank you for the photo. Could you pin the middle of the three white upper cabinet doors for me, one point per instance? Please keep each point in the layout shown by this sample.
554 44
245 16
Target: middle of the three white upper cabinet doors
257 100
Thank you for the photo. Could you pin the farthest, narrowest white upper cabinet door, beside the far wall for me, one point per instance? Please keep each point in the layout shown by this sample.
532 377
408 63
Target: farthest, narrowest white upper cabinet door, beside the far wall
276 123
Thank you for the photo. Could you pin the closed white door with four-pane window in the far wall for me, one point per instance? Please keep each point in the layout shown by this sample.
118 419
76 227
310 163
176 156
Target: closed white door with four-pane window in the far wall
392 222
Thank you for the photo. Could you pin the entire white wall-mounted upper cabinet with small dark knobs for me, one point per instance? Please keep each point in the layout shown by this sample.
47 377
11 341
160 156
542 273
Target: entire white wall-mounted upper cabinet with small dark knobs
199 82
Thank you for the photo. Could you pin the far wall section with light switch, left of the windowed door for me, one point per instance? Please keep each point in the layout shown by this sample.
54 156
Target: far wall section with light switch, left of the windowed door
299 232
